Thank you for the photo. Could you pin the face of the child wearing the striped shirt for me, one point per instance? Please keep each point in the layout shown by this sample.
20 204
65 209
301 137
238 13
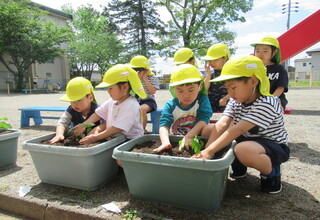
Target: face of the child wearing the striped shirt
242 91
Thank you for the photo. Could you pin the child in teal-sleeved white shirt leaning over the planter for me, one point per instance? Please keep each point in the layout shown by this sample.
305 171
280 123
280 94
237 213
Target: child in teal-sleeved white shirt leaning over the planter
189 111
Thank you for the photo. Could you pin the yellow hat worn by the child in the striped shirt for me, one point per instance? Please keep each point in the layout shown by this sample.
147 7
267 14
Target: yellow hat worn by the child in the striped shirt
246 66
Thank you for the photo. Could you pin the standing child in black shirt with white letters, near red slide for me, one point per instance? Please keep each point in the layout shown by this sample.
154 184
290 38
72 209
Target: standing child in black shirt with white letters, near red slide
268 50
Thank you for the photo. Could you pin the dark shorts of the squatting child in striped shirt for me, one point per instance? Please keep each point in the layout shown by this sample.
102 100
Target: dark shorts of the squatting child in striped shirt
278 153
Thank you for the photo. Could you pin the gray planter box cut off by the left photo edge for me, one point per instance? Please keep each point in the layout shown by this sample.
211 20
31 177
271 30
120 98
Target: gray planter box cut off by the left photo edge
9 148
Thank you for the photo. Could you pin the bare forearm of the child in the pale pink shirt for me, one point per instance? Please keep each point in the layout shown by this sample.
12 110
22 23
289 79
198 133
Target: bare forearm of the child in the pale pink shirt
94 137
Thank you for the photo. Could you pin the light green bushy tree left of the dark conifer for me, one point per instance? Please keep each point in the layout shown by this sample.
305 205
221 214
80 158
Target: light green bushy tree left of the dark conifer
93 45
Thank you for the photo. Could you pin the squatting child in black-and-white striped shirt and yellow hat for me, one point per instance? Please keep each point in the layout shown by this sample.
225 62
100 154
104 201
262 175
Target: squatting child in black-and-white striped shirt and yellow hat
254 119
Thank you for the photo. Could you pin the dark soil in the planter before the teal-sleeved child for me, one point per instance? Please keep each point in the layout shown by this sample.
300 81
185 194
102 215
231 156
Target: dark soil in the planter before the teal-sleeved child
148 147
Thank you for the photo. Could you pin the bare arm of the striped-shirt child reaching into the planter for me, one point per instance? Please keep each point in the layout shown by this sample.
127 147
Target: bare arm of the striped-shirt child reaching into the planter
226 138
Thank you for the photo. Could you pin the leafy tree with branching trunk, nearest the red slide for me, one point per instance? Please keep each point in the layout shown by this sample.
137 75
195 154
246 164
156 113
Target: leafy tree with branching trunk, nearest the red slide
200 23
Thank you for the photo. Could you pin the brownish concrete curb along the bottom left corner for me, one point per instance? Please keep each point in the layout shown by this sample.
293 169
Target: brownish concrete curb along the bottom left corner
41 211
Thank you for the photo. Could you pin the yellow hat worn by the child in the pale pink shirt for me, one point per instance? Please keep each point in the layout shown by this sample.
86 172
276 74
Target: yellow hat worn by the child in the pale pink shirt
123 73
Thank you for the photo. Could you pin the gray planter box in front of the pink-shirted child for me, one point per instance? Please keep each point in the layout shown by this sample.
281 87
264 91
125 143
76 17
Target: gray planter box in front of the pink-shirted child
81 168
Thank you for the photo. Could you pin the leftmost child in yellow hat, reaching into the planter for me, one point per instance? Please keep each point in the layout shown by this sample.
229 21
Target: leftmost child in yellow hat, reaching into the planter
83 104
